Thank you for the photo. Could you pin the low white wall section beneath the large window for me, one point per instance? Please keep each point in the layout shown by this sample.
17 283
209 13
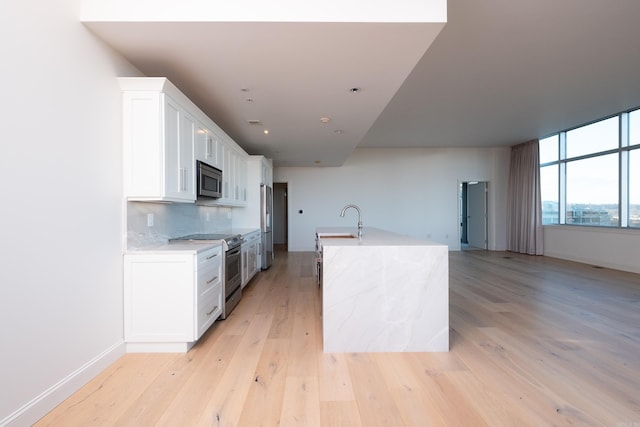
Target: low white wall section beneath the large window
612 248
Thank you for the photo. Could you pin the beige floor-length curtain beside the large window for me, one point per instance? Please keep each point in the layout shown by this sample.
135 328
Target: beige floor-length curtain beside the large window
524 208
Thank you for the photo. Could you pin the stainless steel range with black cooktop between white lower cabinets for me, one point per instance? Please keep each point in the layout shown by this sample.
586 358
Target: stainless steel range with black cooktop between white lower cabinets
232 266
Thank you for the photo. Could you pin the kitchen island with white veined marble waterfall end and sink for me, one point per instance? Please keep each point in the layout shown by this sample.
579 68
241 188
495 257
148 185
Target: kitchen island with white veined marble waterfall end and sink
383 293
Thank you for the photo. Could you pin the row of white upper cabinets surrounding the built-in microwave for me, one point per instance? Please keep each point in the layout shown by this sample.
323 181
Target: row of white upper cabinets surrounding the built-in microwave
164 134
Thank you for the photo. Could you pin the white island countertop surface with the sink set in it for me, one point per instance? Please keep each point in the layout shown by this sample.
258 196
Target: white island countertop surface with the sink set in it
370 237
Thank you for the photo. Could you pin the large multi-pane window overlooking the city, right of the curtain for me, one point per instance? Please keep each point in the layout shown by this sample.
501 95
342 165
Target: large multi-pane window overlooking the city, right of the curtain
590 175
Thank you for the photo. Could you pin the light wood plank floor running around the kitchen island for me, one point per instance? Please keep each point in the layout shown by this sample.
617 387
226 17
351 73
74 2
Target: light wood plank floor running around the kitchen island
534 342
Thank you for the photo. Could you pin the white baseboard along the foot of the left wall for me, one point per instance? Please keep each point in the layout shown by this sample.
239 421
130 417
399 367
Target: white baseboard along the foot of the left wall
42 404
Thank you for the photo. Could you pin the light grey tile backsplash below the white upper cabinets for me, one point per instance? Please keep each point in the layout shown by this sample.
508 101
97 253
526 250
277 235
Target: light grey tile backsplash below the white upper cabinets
172 220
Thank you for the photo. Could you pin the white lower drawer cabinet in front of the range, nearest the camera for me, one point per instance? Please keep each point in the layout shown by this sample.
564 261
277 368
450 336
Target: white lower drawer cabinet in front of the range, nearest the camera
170 299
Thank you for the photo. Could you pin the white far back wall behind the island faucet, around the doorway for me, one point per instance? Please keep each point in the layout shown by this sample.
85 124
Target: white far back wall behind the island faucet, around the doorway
407 191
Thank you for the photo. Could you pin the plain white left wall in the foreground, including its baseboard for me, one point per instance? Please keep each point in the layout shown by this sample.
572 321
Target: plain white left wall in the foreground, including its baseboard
60 181
